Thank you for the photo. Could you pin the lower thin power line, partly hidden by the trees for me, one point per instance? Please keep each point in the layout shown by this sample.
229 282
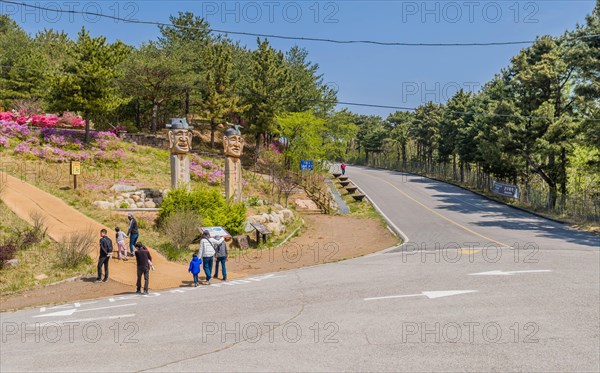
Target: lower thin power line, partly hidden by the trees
337 102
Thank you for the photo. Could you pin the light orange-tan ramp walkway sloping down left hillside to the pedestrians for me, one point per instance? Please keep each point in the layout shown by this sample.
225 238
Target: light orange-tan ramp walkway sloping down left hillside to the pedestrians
63 220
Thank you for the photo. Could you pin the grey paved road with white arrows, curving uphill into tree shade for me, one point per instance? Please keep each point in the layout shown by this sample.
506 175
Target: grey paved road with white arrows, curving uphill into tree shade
501 291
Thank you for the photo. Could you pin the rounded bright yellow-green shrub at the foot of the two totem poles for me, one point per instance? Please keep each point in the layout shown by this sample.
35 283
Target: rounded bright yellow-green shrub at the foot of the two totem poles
208 203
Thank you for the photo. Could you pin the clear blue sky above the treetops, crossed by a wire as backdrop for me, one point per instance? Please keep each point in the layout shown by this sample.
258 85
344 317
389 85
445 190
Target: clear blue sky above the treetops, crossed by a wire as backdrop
398 76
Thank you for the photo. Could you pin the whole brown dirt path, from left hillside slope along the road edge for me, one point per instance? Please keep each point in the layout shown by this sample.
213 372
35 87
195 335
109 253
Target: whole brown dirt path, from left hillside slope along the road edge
324 239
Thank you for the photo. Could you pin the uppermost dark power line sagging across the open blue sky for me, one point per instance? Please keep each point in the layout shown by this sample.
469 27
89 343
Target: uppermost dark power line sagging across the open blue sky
286 37
